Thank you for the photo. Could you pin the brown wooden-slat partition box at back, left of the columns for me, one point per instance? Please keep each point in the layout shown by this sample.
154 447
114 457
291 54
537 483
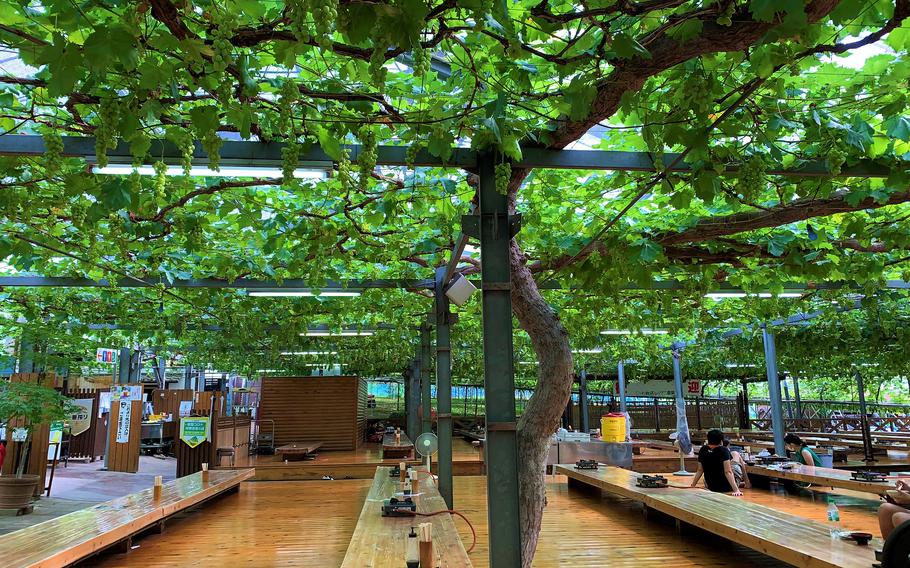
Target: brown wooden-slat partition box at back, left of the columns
331 410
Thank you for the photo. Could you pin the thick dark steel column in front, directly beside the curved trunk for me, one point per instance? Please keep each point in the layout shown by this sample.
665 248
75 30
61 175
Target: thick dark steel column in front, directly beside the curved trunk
499 379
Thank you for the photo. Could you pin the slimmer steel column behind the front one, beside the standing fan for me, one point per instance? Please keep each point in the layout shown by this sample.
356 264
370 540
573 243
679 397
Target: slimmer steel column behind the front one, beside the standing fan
444 387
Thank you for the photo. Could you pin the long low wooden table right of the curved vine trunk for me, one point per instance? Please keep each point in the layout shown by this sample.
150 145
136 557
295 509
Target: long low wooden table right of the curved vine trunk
789 538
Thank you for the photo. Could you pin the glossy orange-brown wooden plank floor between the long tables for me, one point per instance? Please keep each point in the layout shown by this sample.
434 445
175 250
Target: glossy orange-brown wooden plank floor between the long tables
310 523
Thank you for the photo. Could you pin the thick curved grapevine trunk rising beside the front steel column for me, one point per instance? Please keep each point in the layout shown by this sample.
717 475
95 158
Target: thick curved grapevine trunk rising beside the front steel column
544 409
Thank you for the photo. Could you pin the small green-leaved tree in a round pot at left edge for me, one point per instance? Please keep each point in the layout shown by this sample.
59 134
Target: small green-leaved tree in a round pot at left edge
27 405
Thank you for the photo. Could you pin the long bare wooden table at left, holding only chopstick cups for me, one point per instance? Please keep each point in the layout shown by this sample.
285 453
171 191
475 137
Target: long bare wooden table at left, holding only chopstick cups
80 534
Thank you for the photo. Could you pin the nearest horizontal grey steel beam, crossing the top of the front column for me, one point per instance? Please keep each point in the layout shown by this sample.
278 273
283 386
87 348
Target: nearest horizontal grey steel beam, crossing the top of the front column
261 154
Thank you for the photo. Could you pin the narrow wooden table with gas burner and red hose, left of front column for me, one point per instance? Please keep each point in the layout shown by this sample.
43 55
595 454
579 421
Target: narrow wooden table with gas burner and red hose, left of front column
379 542
